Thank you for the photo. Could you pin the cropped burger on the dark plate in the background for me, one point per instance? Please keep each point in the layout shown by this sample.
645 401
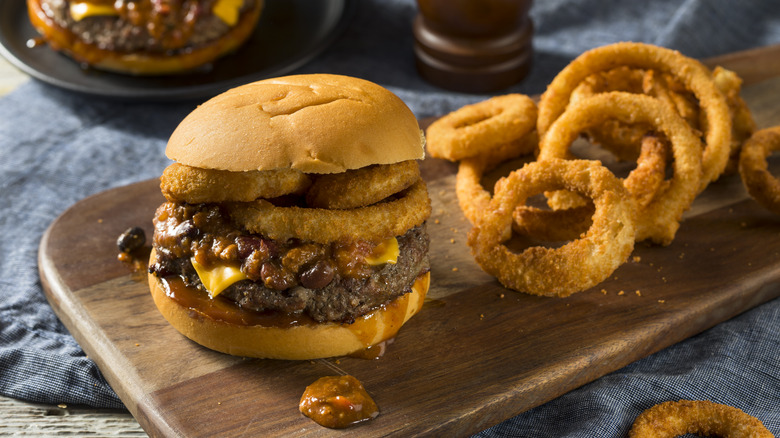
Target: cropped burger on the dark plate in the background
145 37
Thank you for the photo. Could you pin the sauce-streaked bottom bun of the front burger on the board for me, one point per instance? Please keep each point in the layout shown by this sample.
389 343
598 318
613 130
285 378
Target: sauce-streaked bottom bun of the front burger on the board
298 341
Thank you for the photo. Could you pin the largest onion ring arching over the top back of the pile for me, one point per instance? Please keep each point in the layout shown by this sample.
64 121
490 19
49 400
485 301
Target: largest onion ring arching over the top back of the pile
688 71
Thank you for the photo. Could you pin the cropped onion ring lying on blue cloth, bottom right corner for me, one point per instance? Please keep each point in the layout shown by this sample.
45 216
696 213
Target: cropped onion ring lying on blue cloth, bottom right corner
700 417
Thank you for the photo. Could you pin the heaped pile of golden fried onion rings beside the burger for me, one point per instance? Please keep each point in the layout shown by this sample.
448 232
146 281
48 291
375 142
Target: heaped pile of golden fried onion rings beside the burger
681 122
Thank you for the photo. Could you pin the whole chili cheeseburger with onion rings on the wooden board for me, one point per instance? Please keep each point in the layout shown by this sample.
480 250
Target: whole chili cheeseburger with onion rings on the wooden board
294 221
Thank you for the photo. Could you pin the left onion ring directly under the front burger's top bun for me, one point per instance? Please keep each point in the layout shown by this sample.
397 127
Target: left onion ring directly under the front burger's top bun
193 185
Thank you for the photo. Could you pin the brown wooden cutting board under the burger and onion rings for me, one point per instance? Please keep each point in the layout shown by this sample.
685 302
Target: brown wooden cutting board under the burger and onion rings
475 355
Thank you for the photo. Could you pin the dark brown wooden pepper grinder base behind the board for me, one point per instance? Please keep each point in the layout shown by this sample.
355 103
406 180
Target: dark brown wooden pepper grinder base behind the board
473 46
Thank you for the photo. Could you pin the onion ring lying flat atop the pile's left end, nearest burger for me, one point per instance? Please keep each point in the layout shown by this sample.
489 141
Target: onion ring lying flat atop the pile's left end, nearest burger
478 128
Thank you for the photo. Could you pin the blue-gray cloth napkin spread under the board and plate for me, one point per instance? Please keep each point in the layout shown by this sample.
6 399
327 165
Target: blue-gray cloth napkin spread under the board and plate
57 147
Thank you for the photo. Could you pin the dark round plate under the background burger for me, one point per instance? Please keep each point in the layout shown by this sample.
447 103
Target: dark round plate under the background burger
290 33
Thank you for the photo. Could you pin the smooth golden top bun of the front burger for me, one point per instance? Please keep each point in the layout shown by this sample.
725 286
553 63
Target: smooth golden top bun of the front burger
317 123
